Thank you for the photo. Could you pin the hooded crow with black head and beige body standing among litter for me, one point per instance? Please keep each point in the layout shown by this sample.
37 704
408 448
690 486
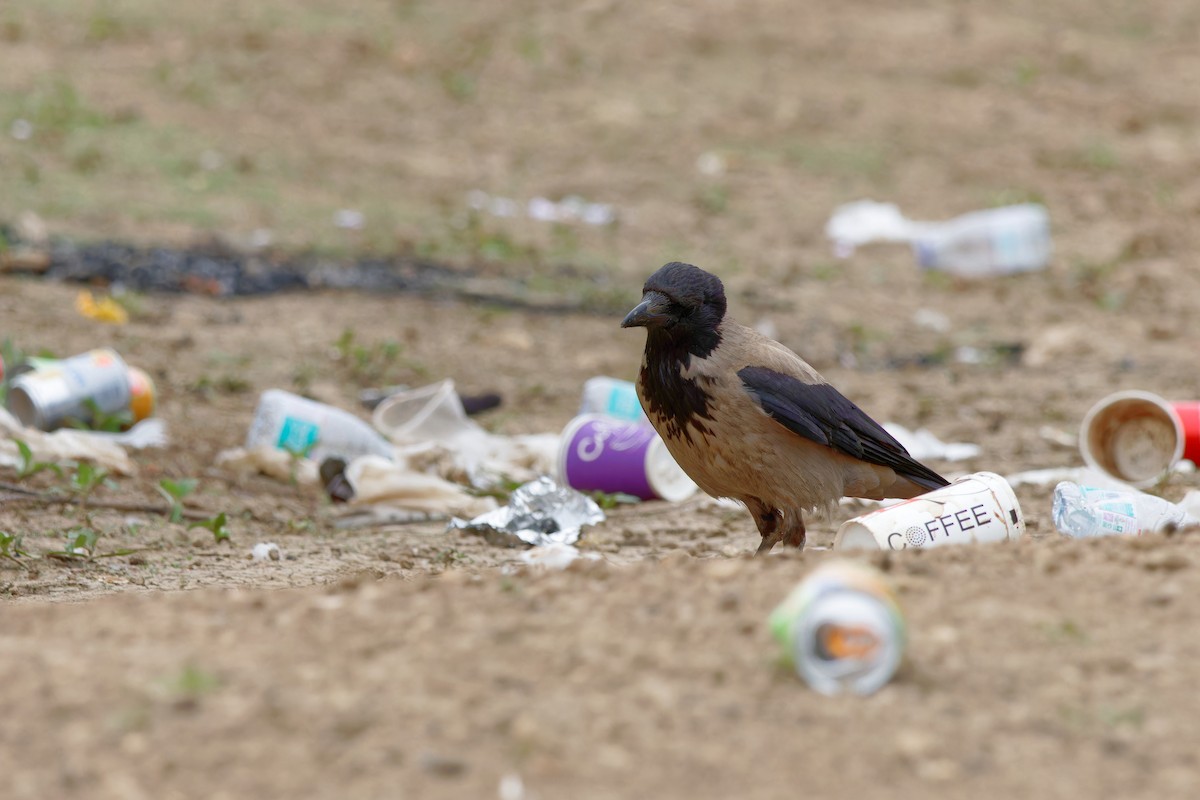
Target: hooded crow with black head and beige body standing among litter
751 420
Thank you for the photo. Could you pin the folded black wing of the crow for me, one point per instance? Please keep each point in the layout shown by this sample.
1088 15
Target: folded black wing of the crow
821 413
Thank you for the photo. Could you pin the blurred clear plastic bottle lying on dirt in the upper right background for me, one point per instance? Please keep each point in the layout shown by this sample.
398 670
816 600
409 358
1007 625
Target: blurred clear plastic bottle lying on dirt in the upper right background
995 242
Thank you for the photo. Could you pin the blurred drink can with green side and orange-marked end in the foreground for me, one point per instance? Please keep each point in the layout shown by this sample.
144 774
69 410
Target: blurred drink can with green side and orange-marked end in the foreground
842 629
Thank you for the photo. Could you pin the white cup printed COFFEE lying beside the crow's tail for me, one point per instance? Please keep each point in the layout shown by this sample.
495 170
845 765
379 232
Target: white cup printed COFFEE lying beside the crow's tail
980 508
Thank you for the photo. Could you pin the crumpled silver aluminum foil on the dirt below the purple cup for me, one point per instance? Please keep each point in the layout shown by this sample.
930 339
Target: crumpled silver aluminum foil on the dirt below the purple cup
541 513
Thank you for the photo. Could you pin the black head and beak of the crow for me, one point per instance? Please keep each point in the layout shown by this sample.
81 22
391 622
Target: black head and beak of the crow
683 304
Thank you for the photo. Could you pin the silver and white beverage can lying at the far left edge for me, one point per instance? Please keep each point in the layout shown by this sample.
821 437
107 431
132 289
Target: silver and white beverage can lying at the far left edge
70 389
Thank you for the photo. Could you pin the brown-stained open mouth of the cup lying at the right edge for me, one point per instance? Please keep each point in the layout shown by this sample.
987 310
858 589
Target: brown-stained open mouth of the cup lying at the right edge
1133 436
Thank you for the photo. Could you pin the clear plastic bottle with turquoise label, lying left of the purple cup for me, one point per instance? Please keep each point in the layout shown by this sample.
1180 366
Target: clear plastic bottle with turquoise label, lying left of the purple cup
315 430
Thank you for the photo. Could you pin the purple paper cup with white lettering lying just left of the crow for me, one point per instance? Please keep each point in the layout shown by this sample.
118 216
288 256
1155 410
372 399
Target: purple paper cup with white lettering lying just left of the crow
602 454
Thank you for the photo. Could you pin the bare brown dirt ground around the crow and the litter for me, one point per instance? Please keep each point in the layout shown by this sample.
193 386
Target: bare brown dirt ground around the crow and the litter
409 661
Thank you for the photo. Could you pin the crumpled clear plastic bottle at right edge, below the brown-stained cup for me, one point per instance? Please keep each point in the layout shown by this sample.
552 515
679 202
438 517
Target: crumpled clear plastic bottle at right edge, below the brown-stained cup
1084 512
